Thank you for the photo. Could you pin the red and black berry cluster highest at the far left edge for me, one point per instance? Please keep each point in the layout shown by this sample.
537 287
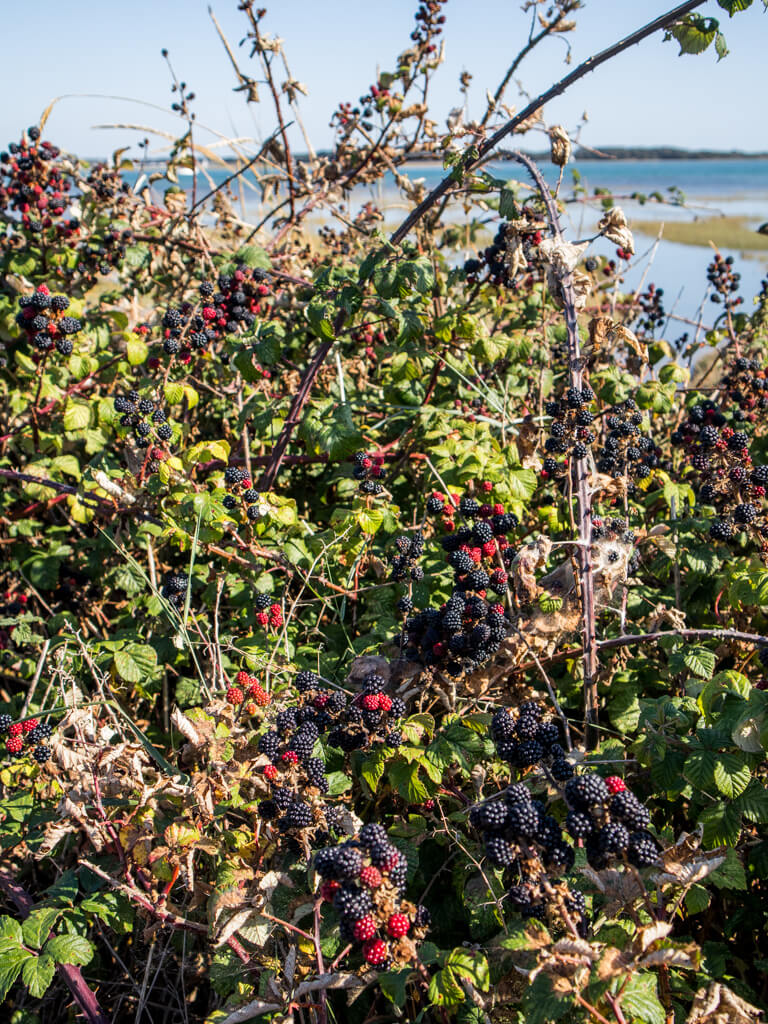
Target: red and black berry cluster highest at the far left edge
33 182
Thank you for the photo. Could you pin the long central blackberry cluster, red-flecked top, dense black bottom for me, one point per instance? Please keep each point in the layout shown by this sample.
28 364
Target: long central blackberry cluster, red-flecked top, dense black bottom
466 631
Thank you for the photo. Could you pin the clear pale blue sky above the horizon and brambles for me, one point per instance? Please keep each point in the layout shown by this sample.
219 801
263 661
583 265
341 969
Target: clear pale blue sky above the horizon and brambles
649 96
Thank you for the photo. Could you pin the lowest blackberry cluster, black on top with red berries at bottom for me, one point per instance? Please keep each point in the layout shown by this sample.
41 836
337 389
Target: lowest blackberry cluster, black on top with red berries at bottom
365 880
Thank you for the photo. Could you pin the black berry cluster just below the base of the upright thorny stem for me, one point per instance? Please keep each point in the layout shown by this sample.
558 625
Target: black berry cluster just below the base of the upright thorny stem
524 740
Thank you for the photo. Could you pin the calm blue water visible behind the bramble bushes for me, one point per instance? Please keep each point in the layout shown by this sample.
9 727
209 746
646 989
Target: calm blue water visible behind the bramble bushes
712 188
